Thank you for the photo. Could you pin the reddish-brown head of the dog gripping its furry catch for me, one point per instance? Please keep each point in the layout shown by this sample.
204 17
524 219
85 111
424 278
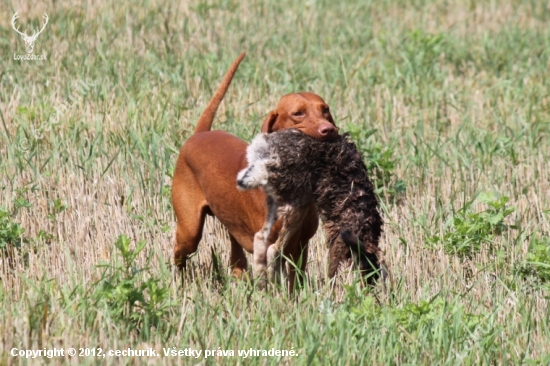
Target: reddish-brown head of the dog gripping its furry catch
306 112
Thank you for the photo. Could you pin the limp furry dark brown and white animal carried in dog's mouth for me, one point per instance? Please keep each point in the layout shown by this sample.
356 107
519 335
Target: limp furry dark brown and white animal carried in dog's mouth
294 170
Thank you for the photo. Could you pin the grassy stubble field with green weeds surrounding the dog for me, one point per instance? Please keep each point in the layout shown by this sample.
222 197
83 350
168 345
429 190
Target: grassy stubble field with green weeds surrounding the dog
448 100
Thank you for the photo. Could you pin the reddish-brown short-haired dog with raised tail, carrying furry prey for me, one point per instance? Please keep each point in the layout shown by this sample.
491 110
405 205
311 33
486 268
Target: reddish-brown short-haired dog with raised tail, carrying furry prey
205 180
